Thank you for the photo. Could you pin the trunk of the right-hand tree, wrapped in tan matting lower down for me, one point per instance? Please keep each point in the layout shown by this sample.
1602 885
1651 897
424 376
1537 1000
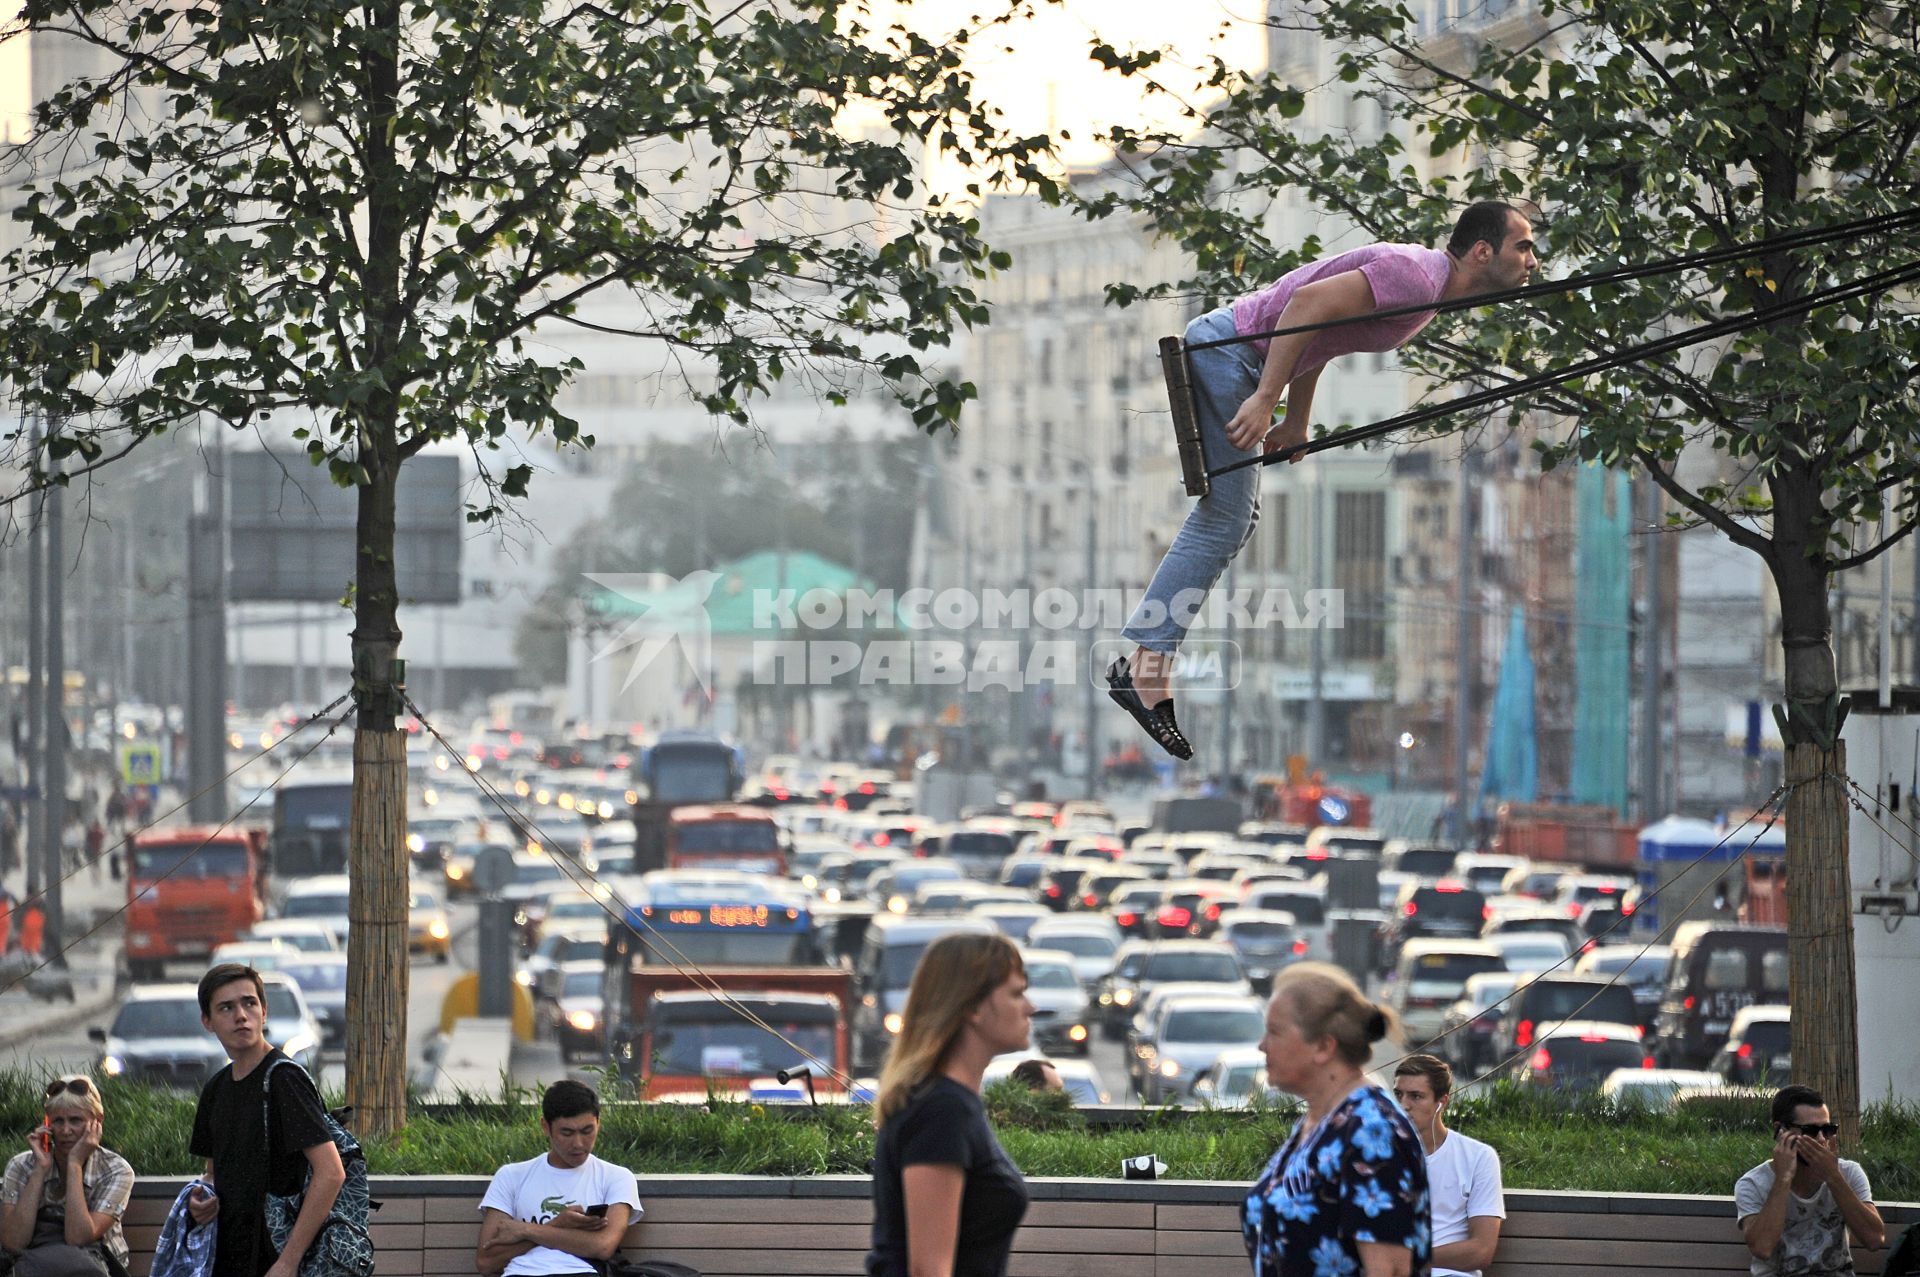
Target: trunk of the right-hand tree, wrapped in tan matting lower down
1821 973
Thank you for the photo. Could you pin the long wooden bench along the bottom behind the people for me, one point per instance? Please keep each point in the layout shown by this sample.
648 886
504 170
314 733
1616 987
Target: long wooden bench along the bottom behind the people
736 1226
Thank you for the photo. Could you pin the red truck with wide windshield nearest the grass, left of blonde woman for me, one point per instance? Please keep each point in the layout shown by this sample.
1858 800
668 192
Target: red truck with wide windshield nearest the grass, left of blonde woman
683 1040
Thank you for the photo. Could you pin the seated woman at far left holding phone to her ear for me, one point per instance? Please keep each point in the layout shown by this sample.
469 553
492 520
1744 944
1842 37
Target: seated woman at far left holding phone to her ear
62 1201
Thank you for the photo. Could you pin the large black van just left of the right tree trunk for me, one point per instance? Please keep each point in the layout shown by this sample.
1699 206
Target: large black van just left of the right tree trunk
1717 971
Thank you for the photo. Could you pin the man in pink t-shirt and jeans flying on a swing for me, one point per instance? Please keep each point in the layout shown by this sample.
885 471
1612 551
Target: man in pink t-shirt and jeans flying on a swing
1239 387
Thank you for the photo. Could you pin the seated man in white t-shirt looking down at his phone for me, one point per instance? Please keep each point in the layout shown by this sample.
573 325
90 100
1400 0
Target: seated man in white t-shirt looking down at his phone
564 1213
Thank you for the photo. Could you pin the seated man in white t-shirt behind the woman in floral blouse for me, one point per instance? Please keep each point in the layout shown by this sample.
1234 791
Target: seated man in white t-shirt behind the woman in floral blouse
1462 1174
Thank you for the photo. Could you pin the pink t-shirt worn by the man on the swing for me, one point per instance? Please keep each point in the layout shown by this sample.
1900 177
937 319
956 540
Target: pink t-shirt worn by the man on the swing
1399 276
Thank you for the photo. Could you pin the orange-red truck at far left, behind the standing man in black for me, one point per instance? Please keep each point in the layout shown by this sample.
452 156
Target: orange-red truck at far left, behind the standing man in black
189 892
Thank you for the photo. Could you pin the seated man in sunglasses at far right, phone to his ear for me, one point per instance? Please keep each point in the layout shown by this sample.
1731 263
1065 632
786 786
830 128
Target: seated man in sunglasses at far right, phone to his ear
1798 1207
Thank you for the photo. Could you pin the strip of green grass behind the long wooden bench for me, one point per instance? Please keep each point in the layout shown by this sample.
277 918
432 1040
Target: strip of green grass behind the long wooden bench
1545 1142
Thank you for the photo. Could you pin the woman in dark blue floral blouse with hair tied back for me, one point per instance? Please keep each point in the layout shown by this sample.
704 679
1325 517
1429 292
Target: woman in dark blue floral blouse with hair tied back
1347 1193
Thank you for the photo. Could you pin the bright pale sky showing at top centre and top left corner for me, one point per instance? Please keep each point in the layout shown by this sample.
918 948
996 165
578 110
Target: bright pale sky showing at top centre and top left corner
1036 72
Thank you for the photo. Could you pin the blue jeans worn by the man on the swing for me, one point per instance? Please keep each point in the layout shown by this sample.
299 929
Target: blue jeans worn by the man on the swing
1222 521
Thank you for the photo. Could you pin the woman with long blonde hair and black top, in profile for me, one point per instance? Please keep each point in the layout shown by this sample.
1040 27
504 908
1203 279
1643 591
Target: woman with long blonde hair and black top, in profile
948 1199
